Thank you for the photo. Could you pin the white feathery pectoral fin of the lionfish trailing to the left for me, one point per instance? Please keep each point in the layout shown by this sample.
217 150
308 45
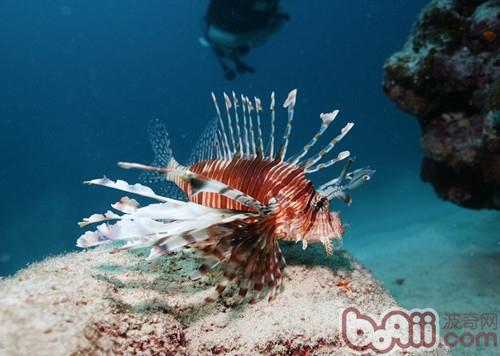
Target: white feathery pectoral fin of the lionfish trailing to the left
170 225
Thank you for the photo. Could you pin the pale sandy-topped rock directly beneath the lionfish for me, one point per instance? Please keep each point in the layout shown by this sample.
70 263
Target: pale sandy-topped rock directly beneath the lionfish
97 303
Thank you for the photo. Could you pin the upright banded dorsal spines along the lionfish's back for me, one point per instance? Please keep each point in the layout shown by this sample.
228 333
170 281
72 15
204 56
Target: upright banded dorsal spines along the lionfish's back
245 139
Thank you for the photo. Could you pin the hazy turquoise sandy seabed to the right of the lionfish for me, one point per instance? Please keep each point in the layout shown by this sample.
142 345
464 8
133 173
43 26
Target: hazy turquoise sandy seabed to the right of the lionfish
444 257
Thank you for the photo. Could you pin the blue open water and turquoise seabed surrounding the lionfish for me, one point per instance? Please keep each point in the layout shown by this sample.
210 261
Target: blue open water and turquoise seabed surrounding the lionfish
81 80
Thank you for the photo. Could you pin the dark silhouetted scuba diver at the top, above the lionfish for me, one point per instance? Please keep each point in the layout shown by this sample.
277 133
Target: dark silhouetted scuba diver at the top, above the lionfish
232 27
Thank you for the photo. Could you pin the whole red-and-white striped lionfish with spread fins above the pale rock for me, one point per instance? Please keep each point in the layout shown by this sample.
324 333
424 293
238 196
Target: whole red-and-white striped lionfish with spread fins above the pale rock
241 198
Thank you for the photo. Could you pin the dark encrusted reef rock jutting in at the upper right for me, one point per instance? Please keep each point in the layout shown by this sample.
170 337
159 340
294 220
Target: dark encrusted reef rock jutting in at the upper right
448 76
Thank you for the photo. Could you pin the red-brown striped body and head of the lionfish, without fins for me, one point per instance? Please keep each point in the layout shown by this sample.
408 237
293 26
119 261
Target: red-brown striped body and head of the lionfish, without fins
295 216
